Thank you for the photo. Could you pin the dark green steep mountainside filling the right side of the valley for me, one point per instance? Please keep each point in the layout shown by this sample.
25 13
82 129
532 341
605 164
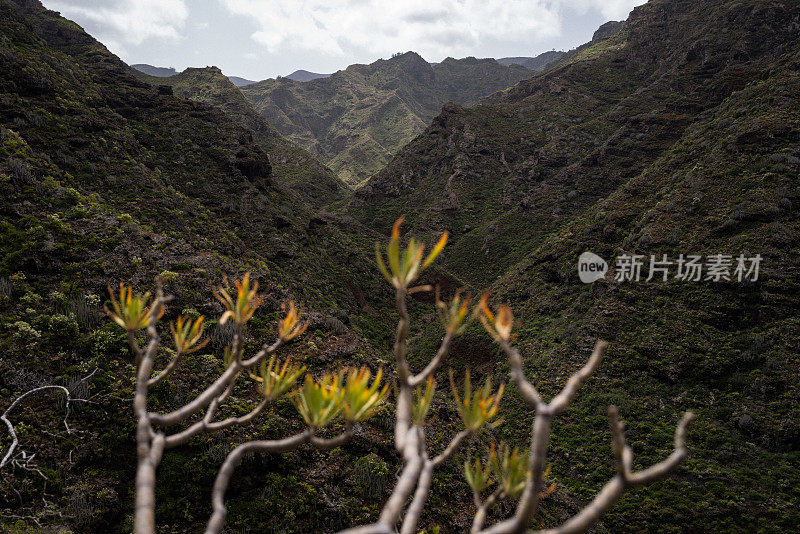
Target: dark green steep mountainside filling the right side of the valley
678 134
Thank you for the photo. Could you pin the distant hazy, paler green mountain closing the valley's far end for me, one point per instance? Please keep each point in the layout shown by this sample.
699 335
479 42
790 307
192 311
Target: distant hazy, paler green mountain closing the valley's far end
355 120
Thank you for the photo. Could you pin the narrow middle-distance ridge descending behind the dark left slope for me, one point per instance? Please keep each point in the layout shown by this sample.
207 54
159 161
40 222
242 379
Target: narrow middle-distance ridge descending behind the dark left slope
291 165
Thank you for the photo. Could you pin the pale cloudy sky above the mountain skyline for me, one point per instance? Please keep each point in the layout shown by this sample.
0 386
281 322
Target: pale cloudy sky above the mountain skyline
259 39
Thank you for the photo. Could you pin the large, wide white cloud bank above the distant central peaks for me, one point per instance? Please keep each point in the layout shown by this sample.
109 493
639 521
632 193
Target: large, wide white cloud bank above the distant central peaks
434 28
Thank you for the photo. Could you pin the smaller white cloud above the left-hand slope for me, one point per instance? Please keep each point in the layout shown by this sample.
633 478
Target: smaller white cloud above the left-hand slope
121 23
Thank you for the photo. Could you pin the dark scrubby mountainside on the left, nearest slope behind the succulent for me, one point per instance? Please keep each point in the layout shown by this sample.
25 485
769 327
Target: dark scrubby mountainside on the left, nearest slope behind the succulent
103 179
